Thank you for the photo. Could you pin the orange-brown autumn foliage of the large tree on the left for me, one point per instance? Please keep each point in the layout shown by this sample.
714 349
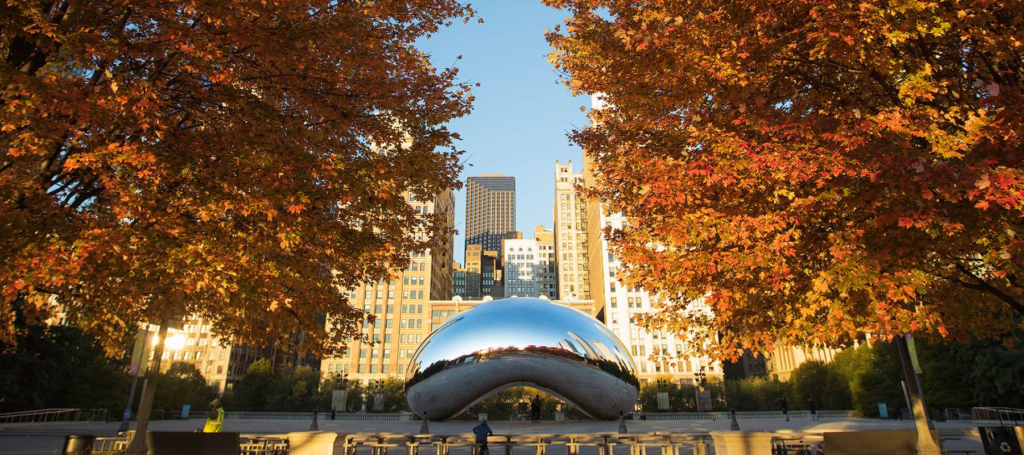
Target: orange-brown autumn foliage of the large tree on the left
245 162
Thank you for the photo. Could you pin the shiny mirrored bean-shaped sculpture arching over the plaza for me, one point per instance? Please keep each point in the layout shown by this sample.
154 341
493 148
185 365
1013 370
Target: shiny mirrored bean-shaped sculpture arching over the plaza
522 342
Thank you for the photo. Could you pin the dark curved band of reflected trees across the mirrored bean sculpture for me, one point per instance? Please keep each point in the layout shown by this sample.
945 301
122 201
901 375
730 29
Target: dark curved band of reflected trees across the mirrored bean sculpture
617 368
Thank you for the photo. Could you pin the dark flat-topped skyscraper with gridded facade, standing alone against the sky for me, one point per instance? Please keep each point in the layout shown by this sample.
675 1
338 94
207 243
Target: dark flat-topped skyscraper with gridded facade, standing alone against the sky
490 211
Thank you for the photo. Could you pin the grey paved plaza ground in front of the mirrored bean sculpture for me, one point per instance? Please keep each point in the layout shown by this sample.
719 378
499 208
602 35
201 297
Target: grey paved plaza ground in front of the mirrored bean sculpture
48 438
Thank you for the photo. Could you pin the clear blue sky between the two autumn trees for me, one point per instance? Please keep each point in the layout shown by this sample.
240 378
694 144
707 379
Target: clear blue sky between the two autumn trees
521 118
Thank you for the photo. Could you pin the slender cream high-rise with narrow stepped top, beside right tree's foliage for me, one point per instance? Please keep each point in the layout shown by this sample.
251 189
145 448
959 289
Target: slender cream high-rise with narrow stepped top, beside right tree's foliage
571 235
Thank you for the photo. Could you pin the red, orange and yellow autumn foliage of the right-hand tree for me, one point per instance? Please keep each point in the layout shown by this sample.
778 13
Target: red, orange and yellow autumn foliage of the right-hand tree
814 171
